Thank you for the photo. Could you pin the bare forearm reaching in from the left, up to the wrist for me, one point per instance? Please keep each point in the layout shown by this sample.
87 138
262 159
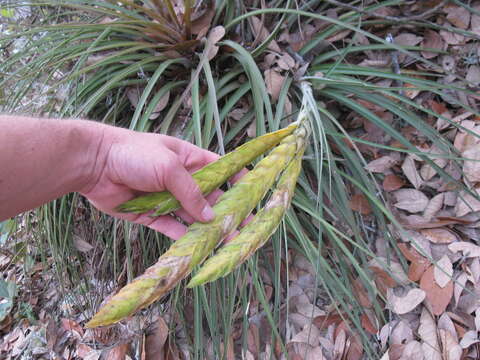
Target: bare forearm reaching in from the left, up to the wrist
43 159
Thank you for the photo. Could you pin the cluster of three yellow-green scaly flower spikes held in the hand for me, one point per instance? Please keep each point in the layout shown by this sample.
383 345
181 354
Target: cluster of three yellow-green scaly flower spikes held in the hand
231 209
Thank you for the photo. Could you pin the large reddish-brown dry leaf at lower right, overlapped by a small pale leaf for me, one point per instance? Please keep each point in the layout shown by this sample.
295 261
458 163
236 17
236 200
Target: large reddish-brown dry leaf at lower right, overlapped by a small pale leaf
437 298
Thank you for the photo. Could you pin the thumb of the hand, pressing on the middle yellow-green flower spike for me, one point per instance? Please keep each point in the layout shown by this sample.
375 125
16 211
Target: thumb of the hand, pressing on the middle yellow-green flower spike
180 183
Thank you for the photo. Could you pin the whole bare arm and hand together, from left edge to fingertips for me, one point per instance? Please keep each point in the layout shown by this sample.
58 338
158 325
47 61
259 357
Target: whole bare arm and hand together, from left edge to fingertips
43 159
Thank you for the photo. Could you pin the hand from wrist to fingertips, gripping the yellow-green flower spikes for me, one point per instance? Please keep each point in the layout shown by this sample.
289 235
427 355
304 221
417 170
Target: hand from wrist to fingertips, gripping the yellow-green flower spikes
130 163
